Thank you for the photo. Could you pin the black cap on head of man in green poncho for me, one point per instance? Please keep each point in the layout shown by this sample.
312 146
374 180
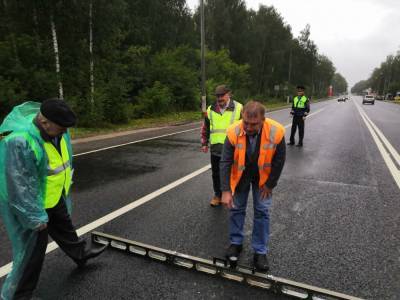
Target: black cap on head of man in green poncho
57 111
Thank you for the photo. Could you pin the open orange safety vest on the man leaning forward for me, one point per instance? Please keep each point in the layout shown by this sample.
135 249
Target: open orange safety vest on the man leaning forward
272 134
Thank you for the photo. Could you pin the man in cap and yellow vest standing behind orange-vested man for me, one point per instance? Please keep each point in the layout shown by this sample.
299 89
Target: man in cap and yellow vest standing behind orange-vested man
220 116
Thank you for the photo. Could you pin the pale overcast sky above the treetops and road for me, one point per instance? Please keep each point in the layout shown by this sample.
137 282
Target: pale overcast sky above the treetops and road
356 35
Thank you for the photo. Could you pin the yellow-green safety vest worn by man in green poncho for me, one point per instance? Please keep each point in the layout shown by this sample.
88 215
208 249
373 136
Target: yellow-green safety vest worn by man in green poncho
59 176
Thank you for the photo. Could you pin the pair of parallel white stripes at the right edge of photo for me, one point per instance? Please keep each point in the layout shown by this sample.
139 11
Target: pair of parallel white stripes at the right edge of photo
378 138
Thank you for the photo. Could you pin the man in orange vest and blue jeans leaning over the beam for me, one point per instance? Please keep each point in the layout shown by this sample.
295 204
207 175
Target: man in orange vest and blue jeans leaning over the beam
253 155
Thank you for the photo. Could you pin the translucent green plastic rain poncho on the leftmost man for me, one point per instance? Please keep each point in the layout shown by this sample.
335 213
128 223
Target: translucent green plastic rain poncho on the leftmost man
23 171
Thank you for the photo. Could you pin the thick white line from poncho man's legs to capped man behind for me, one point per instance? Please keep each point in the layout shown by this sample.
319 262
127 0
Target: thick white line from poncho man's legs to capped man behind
119 212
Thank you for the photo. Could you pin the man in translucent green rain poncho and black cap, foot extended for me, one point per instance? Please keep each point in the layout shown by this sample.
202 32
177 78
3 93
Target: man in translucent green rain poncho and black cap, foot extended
35 180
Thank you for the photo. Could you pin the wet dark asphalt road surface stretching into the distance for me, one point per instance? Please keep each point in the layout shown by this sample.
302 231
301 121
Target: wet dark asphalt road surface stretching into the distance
334 222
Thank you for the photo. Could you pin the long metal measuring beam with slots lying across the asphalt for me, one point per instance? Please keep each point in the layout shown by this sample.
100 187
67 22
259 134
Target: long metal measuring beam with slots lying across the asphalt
221 268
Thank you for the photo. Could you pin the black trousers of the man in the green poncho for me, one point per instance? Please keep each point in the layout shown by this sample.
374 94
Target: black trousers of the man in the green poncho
62 231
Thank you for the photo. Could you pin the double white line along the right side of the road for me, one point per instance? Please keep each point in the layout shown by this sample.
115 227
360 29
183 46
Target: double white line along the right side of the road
385 154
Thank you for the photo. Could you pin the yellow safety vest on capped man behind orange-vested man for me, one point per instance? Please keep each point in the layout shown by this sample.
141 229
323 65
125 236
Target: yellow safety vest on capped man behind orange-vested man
219 123
